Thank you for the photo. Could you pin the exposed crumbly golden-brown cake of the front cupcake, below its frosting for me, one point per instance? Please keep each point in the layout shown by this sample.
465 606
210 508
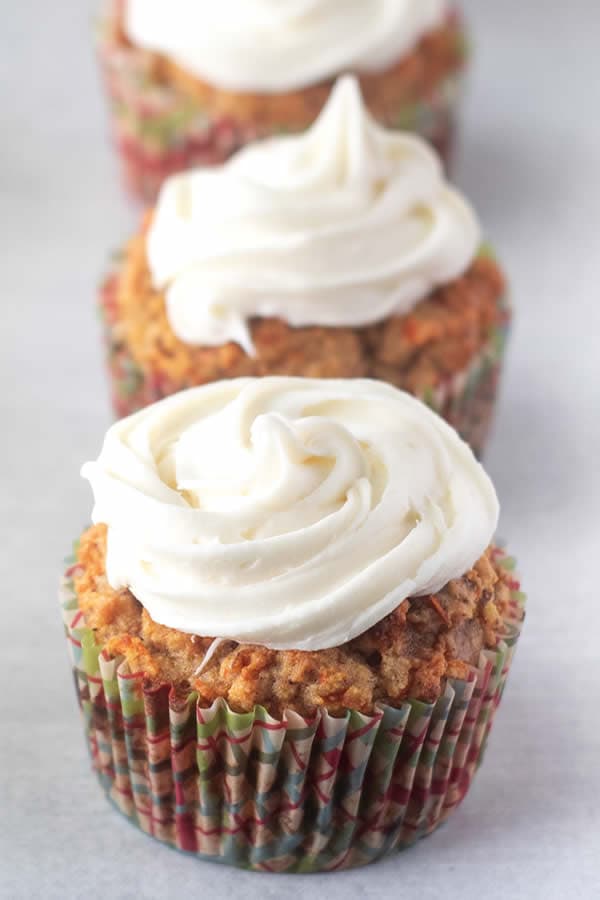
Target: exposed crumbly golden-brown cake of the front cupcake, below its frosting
409 654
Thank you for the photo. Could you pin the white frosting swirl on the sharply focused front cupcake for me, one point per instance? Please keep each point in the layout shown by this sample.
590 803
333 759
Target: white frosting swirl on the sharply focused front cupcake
287 512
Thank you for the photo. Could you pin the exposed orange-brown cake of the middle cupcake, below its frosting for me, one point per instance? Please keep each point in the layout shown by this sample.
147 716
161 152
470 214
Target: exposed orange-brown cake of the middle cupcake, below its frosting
416 352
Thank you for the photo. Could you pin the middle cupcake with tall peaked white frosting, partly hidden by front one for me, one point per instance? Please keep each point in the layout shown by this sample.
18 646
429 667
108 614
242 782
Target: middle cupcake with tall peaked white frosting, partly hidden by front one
339 253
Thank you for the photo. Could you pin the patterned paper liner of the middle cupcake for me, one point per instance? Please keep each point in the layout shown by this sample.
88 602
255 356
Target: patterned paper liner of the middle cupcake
466 399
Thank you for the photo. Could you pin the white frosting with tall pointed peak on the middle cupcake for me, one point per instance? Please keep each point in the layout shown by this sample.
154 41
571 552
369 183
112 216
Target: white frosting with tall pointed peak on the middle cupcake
340 227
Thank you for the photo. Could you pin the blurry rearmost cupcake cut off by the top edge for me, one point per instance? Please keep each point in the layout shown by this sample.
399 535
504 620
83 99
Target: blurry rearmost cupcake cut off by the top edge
191 82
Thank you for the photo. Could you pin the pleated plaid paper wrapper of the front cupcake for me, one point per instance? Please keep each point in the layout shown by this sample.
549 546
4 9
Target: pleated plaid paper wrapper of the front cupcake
289 795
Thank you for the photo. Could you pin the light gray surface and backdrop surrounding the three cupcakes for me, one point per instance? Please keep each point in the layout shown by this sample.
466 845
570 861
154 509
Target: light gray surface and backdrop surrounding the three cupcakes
530 162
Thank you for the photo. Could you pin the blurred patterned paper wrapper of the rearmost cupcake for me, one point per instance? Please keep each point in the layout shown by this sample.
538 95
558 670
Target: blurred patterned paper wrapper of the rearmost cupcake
159 129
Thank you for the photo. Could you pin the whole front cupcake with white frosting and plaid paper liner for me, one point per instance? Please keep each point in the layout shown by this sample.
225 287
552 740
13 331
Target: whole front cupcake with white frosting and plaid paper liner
290 629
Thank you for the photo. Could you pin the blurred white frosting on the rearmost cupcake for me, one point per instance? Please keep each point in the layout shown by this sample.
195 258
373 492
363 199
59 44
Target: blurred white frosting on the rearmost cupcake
278 45
